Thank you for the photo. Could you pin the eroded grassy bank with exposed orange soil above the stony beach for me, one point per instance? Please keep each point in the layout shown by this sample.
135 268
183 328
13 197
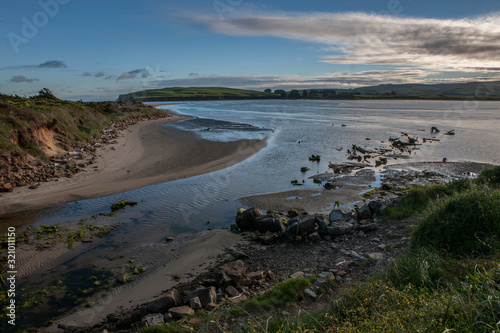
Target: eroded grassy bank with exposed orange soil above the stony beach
26 124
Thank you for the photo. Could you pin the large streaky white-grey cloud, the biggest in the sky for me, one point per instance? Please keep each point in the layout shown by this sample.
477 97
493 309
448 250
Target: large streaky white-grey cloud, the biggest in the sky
359 38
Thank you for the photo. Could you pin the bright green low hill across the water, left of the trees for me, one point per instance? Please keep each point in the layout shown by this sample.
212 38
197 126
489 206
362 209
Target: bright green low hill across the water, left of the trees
193 94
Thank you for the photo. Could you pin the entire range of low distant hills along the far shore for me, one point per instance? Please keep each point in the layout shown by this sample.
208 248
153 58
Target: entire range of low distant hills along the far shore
455 91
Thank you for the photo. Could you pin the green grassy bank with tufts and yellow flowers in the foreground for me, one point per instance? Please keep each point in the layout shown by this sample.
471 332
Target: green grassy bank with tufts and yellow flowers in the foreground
448 280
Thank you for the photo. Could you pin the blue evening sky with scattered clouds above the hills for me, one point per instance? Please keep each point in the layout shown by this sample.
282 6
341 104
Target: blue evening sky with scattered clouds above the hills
96 50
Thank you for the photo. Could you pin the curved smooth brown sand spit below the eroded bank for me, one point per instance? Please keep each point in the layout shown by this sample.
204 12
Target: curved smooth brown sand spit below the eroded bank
145 154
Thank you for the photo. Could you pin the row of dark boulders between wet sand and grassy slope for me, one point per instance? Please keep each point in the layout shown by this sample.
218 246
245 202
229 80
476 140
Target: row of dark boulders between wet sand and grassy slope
267 228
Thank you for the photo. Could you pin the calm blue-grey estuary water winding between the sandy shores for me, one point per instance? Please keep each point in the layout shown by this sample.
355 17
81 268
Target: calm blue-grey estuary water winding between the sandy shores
294 130
